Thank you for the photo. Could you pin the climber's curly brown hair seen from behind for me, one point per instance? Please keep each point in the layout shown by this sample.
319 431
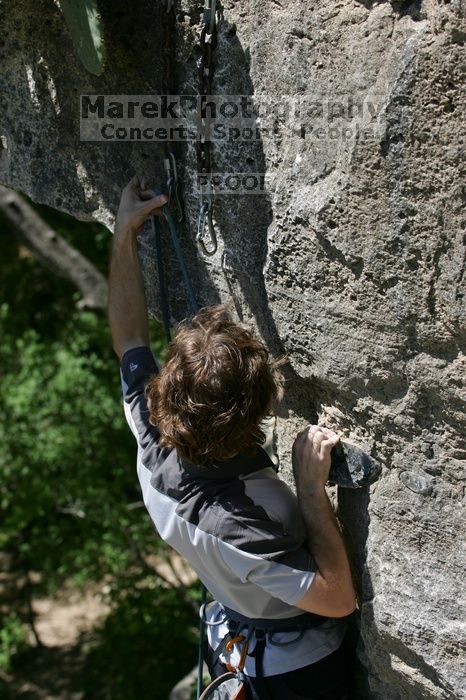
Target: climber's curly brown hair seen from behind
217 385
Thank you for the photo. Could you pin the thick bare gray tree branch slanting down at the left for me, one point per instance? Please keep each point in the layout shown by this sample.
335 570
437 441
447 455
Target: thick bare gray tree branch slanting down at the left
52 250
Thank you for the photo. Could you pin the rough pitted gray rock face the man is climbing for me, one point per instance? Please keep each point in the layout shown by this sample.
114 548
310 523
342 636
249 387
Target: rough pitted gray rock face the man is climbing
351 262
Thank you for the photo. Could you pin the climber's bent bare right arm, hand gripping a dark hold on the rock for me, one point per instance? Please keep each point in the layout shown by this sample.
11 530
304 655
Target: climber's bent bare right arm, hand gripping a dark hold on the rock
331 593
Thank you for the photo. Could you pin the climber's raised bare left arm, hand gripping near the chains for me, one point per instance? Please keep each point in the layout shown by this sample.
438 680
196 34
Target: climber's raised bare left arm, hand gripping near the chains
127 309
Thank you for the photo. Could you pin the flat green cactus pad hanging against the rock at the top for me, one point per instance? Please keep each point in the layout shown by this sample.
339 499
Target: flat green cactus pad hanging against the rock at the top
85 26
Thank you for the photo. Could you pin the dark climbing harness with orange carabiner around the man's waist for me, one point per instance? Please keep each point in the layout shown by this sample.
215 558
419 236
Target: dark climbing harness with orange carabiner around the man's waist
241 629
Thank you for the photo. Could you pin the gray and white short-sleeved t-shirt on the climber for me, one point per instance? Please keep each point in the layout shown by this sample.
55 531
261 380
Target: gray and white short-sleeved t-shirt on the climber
237 524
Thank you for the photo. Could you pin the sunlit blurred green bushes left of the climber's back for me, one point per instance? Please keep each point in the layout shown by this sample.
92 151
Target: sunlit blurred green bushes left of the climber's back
67 458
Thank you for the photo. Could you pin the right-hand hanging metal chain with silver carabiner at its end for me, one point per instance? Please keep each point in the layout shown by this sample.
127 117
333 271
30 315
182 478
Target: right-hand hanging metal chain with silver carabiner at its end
208 42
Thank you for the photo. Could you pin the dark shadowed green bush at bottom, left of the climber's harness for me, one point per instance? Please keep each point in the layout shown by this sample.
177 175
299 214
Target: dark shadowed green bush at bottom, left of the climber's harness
146 645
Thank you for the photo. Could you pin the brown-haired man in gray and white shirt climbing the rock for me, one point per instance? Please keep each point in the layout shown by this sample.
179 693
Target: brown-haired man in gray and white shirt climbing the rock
275 564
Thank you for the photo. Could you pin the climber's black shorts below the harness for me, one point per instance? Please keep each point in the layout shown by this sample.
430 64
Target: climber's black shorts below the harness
327 679
